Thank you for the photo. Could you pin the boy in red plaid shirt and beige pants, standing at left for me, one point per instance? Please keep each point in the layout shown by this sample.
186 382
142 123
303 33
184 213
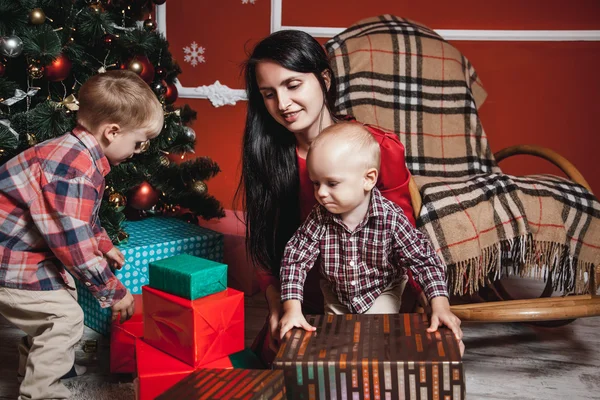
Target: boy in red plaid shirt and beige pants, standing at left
50 233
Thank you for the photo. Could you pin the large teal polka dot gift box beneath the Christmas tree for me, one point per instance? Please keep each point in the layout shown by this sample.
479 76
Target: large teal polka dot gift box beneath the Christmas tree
150 240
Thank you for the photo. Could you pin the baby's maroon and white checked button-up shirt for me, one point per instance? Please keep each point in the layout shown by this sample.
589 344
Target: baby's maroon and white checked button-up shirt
359 265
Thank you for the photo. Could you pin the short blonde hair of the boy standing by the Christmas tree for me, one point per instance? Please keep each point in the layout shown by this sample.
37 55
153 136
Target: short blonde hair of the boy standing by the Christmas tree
119 97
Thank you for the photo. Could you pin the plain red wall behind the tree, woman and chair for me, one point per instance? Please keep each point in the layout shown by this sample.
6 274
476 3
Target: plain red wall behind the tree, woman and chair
544 93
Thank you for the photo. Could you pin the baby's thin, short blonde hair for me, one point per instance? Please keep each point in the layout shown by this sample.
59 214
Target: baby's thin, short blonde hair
358 141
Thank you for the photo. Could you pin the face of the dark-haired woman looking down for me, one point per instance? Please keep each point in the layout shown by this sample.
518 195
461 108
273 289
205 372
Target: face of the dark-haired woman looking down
294 99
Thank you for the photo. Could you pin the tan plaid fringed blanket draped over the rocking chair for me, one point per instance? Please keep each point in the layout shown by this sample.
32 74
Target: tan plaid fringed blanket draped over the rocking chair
403 77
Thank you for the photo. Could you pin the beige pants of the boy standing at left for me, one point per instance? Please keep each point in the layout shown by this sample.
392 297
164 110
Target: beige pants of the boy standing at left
53 322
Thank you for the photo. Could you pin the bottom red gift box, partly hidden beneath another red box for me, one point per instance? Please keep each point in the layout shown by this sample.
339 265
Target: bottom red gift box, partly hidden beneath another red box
157 371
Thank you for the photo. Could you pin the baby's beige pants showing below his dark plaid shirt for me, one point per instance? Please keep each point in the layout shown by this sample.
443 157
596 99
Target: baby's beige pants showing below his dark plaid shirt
388 302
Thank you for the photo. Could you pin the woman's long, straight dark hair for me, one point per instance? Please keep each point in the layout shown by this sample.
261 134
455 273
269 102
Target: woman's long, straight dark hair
269 186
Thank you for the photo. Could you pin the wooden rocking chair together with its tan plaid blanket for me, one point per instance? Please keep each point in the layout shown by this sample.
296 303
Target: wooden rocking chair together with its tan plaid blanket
387 74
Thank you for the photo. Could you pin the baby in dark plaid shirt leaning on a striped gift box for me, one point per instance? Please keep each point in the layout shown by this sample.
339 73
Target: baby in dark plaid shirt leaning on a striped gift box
365 241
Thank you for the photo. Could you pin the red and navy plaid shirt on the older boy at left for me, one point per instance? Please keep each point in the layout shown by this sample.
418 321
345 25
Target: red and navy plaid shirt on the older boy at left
49 200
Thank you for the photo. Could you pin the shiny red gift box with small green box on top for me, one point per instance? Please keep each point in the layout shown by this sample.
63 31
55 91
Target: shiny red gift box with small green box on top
195 331
